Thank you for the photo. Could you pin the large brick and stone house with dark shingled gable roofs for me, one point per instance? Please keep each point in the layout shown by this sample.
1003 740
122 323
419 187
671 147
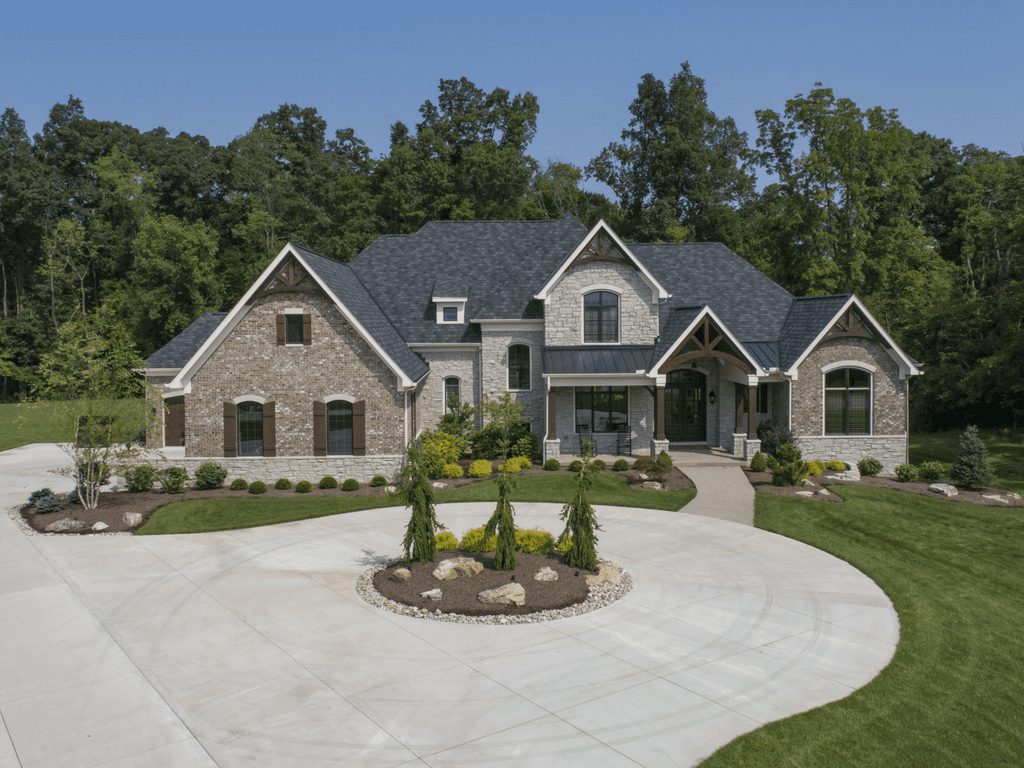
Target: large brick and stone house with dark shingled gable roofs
330 368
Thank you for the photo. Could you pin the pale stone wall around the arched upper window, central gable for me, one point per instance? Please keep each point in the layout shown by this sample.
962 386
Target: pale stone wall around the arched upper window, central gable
637 307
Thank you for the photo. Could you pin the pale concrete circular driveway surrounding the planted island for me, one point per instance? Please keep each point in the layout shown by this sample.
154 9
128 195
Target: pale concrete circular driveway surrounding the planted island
251 648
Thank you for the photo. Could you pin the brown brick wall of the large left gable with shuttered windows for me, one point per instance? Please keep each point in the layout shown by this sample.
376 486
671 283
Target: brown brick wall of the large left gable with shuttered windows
250 362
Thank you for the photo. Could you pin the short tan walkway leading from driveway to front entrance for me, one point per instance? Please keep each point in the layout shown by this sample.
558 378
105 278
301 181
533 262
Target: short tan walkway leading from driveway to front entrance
723 491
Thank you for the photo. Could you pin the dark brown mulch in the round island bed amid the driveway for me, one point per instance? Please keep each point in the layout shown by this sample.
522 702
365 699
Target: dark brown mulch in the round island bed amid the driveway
459 595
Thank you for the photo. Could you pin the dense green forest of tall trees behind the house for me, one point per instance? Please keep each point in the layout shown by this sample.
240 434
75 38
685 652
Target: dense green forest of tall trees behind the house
113 240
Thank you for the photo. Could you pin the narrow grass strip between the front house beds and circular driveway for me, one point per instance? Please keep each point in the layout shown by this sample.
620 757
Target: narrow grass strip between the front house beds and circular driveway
195 517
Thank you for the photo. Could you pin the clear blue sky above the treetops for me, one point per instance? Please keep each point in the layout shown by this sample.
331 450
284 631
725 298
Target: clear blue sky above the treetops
954 69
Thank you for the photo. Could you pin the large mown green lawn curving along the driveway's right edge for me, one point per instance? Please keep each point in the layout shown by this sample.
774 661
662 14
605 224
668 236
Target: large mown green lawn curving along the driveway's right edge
952 695
